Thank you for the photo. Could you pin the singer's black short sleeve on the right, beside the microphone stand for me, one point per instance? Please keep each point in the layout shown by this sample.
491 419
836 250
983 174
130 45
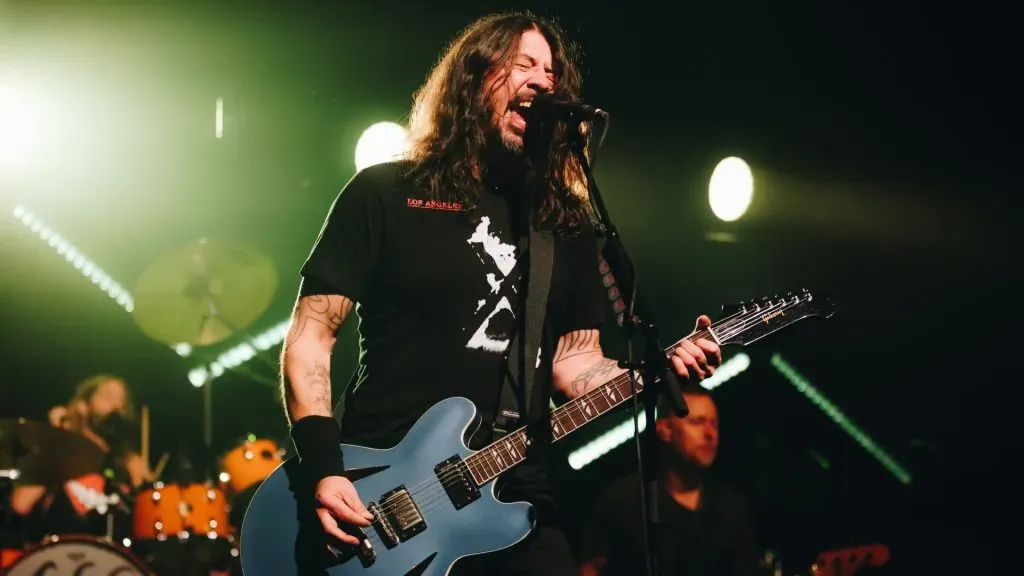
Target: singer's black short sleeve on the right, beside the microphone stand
585 304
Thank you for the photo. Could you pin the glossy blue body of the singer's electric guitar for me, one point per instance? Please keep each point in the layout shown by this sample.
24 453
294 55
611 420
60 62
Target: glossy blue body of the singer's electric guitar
280 538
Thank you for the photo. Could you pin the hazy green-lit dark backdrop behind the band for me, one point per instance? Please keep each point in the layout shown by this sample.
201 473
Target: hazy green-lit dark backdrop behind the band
876 136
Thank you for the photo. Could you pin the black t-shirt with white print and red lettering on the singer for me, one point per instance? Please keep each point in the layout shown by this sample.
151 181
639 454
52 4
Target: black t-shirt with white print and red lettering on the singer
438 287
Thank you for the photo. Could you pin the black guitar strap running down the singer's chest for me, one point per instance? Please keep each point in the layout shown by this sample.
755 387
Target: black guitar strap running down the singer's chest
514 408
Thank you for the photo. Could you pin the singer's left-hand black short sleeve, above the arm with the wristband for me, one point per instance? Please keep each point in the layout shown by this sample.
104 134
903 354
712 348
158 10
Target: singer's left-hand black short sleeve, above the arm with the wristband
343 259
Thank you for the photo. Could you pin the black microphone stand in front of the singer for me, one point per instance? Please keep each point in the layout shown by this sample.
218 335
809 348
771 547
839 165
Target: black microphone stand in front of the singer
654 366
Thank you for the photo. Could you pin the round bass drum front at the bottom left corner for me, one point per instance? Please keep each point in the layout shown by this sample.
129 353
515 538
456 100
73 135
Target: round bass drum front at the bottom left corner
78 556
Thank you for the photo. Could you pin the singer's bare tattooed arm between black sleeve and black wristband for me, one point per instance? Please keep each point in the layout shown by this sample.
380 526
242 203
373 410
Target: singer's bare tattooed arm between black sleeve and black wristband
306 358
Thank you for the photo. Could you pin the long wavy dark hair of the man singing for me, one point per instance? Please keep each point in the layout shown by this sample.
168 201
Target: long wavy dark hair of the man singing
451 119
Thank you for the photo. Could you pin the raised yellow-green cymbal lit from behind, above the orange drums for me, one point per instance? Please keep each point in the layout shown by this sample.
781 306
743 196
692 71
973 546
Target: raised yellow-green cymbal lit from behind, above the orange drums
204 293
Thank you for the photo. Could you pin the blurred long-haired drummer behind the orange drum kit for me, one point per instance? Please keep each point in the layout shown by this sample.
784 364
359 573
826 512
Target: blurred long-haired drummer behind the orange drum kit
101 410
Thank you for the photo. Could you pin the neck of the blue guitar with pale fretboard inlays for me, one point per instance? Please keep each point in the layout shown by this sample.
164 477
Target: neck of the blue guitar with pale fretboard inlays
509 451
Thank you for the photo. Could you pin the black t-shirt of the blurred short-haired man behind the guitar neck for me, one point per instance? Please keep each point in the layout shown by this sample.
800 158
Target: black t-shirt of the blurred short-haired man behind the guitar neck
715 540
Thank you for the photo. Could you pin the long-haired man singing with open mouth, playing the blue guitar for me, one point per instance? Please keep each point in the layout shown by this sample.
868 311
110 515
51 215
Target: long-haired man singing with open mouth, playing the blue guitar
429 250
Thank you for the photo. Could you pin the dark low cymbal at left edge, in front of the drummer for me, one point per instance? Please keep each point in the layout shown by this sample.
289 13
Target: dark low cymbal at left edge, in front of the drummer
46 455
